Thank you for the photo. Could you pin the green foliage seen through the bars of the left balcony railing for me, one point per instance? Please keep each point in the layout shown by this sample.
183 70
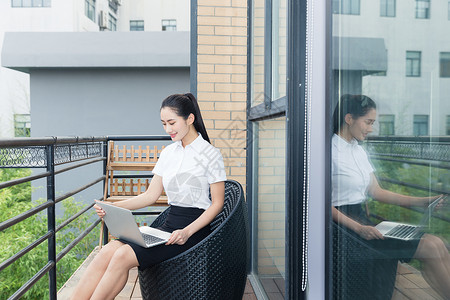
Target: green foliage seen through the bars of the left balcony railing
16 200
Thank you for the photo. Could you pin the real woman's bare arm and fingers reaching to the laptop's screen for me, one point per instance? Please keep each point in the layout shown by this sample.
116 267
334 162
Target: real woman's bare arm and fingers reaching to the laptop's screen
147 198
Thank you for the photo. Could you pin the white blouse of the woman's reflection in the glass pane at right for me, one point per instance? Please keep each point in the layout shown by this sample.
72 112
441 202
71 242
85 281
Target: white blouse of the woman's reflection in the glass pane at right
351 171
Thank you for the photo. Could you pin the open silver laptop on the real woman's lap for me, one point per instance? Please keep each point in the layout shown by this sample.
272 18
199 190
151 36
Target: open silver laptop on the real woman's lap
122 225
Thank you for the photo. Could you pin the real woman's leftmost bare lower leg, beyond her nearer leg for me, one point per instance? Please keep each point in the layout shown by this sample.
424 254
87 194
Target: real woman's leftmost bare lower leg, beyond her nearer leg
95 271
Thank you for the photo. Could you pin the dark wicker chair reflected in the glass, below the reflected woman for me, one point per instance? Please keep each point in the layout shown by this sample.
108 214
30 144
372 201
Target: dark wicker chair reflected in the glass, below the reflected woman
359 271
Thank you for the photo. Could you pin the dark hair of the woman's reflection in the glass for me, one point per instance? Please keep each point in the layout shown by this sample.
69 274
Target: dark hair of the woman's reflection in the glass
355 105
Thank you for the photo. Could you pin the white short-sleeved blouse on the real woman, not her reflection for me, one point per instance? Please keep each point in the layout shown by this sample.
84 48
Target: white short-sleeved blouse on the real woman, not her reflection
188 171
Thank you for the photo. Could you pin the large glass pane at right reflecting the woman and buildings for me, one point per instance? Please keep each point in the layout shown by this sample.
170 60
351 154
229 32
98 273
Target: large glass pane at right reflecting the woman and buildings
402 152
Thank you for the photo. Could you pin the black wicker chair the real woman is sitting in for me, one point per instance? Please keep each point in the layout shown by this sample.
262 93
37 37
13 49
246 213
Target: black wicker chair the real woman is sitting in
214 269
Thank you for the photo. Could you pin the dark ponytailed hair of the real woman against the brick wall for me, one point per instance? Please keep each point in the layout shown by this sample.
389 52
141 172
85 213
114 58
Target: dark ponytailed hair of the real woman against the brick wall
183 106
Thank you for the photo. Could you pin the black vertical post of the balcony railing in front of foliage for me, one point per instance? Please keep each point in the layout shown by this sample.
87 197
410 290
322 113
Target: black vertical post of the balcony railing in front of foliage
51 219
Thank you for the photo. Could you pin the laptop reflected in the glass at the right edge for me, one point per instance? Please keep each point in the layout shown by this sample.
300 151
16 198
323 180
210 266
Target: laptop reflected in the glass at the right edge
406 232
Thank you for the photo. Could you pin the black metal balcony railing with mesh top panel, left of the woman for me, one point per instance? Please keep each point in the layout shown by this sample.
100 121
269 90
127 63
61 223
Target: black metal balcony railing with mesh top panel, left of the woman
49 153
